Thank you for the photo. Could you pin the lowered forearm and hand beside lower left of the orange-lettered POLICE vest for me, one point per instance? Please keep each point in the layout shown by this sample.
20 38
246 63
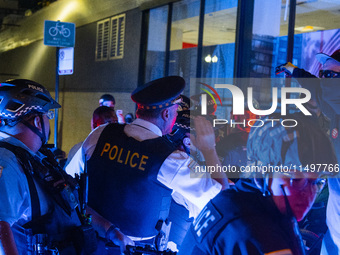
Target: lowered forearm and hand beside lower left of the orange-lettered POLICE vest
108 230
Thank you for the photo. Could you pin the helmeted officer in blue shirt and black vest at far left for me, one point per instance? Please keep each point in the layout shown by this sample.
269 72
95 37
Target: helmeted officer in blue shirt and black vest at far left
39 203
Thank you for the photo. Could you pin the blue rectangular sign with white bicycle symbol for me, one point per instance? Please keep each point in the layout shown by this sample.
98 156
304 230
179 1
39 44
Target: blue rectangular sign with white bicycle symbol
59 34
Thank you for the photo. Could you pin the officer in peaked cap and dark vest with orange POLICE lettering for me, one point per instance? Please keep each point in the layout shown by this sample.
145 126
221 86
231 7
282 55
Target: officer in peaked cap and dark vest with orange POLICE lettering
133 169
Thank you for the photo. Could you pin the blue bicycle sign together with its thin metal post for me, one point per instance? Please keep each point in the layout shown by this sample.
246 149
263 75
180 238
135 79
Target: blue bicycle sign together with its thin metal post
58 34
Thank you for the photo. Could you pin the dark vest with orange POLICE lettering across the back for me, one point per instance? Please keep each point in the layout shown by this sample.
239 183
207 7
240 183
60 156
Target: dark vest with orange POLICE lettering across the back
123 184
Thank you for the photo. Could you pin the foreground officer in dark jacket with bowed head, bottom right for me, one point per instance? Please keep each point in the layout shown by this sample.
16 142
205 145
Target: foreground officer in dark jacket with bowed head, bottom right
258 216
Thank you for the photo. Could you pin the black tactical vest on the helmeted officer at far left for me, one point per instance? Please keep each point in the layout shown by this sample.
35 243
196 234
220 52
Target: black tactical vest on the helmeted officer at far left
59 228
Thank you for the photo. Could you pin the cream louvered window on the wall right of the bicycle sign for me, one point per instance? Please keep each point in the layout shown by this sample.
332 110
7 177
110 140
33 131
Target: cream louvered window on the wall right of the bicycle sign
110 38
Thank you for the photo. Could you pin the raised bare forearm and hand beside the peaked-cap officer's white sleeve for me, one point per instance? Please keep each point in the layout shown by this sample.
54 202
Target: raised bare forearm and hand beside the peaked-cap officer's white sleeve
205 142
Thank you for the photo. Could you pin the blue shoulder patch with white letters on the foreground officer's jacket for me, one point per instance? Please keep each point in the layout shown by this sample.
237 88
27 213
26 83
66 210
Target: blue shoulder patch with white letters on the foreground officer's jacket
205 221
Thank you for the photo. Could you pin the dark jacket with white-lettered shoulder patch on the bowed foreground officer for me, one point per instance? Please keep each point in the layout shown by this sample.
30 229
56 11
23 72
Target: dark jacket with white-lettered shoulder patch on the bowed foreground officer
240 221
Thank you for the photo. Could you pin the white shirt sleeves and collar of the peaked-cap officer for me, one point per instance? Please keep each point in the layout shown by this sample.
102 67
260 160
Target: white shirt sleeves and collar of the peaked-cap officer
174 173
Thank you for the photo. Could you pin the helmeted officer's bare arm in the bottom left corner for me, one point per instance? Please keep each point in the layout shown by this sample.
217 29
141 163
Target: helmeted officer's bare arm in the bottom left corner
7 243
